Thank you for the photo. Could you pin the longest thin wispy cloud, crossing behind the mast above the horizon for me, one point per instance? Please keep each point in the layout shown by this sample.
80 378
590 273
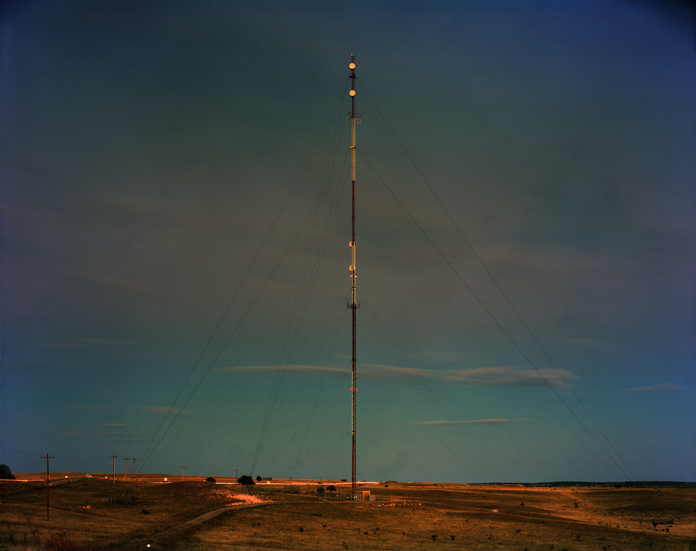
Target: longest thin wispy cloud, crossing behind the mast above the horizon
484 376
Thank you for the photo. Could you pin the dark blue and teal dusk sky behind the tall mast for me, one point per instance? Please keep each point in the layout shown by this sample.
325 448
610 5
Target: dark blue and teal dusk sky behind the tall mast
153 173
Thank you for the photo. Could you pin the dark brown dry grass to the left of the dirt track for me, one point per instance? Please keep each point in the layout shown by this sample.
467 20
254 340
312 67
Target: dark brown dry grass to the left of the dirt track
80 510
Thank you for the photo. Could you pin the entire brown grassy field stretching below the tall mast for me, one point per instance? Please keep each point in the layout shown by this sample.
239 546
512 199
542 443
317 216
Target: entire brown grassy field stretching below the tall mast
413 516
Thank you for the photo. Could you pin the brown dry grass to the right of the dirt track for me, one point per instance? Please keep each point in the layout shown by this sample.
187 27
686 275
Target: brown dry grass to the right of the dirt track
453 517
